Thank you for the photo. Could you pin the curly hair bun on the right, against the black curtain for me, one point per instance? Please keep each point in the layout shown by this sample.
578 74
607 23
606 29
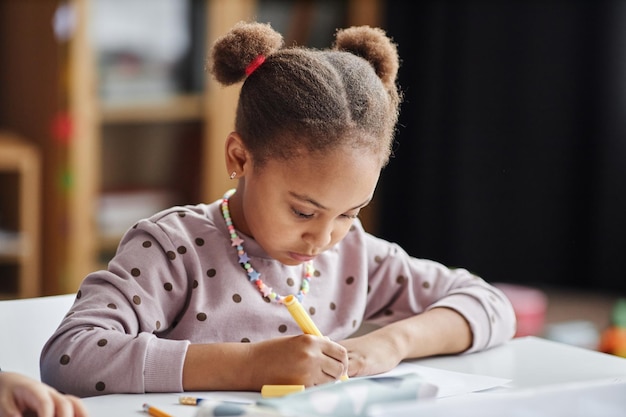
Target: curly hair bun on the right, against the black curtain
373 45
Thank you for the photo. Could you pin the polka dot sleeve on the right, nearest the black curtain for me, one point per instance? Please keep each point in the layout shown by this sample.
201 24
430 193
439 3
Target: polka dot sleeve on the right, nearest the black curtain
402 286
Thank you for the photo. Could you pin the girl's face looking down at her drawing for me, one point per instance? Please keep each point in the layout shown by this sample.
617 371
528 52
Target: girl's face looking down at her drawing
299 208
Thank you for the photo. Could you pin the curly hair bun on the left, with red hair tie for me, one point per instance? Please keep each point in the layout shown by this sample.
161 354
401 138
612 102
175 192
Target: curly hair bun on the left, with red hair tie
234 51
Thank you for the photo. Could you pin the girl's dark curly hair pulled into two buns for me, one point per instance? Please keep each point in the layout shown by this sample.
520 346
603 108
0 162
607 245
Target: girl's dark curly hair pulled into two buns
304 99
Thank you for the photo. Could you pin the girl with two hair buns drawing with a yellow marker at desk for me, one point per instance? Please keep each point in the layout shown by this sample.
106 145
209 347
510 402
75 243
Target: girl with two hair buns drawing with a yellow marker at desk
192 299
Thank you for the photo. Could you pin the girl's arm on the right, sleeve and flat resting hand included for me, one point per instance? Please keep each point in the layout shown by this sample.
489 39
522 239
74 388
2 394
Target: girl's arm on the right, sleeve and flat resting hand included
424 309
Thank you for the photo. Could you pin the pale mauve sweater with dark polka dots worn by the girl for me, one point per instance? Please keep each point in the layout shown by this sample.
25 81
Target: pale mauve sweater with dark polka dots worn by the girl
176 280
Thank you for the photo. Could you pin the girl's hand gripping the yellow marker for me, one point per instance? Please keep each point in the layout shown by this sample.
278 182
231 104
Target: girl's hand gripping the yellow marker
299 360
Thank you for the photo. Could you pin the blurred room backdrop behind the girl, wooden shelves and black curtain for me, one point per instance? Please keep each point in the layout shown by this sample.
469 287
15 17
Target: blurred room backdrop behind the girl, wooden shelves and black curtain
512 137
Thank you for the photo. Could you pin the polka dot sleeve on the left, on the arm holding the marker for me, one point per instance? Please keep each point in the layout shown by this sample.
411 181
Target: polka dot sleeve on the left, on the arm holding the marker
112 339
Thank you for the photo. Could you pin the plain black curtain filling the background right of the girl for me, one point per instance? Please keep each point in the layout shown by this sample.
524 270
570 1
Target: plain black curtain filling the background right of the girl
511 151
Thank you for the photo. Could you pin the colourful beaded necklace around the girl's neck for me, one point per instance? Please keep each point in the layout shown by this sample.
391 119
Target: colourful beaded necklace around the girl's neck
244 260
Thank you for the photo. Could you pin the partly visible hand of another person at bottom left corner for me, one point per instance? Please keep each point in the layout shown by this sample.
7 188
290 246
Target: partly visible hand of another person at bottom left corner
20 394
